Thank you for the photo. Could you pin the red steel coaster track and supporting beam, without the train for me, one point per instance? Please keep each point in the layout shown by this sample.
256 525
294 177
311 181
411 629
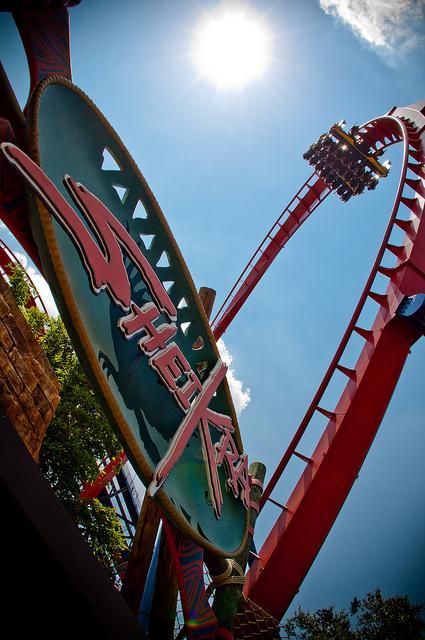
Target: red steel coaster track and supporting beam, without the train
314 504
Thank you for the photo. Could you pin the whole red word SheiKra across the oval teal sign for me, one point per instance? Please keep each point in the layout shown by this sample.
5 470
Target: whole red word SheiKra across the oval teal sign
104 263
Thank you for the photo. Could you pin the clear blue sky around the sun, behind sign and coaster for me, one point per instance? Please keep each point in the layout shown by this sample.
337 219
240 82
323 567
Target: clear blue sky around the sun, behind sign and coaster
223 164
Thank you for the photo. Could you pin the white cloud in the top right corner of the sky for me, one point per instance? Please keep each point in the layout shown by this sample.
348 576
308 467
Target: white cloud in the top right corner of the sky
392 26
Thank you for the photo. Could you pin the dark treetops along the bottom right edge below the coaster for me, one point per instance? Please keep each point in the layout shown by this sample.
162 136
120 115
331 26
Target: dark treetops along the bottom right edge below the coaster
372 618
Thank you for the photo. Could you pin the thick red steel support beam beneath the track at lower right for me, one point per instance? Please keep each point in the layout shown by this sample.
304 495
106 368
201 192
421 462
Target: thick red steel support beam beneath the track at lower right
299 532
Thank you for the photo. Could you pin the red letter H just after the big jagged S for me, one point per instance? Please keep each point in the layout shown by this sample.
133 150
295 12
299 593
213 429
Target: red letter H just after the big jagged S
142 319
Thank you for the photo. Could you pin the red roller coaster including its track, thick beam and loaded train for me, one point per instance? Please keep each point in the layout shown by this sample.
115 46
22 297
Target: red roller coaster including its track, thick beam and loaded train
348 164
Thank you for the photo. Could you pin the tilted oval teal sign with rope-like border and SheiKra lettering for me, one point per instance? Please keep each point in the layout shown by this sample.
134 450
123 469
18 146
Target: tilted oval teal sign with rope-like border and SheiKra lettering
135 318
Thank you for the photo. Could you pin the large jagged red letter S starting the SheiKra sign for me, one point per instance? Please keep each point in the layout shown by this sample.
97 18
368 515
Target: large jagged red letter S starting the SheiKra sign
104 264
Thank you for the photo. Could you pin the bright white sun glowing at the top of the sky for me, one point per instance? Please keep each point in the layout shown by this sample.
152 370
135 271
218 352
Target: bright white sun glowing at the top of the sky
231 47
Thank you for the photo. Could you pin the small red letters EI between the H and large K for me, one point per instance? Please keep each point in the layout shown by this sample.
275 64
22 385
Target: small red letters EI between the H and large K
171 366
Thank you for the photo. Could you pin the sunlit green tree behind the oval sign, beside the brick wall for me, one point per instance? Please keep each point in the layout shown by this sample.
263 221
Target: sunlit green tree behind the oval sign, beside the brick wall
78 436
